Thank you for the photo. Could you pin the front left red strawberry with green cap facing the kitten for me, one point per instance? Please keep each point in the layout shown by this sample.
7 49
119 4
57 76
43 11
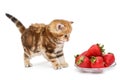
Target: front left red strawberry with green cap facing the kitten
83 61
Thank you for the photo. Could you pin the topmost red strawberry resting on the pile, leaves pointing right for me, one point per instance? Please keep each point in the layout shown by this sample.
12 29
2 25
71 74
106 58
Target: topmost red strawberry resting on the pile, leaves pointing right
95 50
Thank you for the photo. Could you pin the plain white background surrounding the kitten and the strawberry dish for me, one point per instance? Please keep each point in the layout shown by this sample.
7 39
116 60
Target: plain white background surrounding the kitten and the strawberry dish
95 21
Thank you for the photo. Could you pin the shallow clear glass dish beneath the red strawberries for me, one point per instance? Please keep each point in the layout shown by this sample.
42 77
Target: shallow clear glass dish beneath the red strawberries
95 70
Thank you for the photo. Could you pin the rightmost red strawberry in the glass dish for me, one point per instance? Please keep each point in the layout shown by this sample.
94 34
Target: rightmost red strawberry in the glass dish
109 59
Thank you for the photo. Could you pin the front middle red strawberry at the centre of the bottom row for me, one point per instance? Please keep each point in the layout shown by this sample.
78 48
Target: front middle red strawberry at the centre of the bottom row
97 62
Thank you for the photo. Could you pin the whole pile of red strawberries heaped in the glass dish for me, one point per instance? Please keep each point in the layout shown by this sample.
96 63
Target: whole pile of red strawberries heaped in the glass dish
95 57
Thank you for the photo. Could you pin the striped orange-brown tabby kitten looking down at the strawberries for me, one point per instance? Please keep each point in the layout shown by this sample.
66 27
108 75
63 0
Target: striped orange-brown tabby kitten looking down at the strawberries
47 40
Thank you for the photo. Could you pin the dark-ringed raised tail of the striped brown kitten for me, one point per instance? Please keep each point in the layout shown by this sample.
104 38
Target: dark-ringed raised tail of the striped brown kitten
19 25
